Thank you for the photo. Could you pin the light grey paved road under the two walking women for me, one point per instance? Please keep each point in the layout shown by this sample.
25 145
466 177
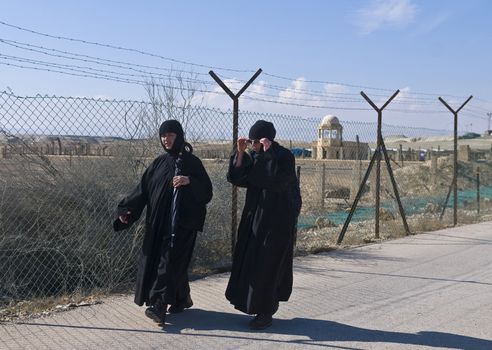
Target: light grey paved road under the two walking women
429 291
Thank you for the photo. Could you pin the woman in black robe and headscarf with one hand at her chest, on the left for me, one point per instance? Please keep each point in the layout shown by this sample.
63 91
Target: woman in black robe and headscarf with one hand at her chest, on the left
162 277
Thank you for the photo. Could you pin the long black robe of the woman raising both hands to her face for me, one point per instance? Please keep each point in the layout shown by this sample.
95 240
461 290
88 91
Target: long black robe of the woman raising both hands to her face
261 273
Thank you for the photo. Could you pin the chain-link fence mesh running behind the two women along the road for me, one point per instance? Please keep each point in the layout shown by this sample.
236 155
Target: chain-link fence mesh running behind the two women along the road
66 162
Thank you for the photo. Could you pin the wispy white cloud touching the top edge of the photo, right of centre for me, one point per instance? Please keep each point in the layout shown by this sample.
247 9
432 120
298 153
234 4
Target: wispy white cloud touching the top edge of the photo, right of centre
385 13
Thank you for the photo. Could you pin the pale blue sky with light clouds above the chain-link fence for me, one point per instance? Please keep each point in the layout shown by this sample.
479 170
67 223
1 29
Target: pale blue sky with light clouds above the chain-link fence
424 48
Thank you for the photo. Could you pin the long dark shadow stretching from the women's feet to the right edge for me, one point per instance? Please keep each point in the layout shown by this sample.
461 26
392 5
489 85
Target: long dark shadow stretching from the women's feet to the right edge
313 330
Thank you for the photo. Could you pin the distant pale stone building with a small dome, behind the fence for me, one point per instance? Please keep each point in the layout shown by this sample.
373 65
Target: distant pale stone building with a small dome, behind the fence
330 143
